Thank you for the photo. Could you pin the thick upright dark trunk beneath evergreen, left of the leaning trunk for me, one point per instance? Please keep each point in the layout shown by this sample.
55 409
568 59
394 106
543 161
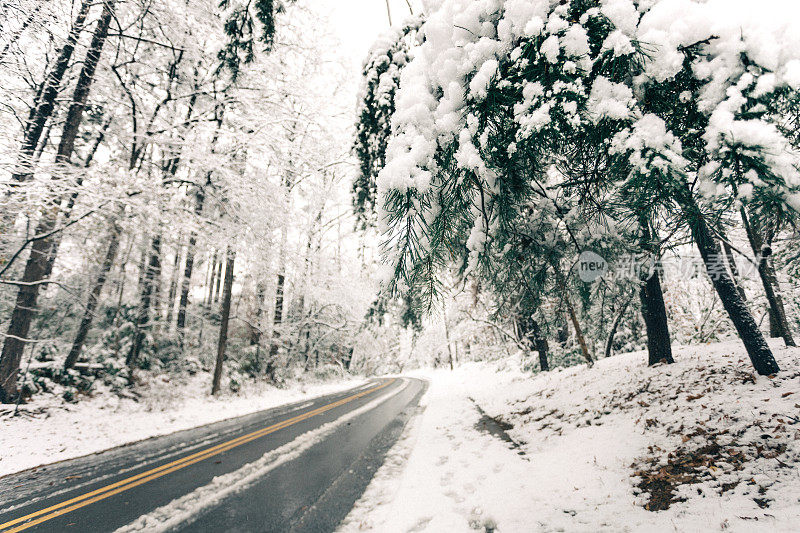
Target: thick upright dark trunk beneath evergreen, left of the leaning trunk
654 312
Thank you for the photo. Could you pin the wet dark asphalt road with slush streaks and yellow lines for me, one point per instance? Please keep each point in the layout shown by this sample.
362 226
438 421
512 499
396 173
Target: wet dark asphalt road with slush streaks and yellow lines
298 467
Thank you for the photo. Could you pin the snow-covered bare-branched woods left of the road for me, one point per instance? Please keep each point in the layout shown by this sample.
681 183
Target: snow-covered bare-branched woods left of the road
175 186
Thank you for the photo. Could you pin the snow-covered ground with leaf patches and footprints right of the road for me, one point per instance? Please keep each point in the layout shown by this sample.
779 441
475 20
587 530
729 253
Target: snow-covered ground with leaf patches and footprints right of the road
705 437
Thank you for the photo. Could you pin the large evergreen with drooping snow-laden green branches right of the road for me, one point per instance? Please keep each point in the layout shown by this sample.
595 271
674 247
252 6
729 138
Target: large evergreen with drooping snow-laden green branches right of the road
500 99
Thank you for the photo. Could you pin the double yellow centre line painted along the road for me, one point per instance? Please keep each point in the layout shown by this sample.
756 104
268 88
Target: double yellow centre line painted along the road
134 481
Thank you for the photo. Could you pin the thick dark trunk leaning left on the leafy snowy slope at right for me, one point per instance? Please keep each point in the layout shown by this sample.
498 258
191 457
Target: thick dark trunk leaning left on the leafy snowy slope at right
757 348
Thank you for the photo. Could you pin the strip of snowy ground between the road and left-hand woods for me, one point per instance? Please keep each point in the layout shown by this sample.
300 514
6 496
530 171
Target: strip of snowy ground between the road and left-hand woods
50 430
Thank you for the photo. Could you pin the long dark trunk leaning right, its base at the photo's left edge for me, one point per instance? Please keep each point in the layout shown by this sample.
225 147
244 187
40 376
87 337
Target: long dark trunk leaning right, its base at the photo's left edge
40 262
